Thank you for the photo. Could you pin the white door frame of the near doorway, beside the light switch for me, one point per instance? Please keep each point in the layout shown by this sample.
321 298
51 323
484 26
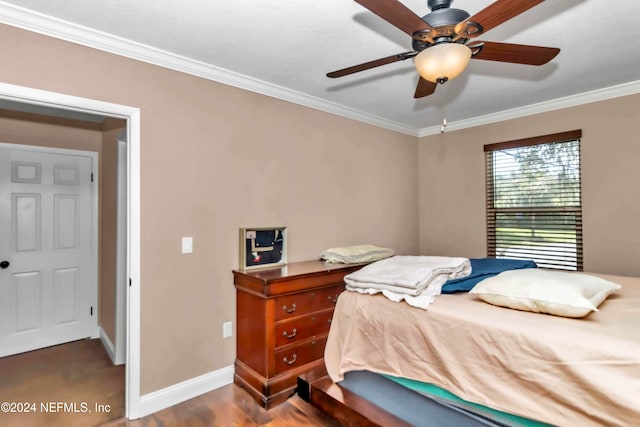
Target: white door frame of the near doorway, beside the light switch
132 116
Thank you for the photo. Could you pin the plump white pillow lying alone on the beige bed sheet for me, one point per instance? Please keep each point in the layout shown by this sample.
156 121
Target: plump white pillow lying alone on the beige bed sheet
542 291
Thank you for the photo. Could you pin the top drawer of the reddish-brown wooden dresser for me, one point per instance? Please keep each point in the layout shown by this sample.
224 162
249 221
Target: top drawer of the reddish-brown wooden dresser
290 306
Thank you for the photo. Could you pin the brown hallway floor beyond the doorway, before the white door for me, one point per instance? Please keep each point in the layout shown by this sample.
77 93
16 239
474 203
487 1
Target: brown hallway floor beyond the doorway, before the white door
43 381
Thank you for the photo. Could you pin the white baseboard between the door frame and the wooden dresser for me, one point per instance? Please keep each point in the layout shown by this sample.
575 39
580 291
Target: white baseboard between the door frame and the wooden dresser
177 393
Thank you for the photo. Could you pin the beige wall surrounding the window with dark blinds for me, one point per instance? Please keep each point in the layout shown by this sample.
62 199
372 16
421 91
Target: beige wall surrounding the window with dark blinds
452 183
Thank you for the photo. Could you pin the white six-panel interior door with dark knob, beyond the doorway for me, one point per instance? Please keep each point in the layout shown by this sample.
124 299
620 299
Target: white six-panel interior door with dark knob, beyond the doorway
48 286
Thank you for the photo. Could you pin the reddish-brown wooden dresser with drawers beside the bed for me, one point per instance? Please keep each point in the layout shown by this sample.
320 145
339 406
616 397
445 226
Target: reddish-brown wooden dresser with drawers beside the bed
283 317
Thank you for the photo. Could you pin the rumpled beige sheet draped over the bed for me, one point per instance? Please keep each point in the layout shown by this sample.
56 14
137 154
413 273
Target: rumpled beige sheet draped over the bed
566 372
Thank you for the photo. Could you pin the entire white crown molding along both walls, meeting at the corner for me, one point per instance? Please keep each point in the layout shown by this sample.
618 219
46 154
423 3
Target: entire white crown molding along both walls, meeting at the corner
50 26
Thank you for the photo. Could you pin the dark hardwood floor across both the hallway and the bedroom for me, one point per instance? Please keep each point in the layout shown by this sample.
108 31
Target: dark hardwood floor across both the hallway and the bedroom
80 373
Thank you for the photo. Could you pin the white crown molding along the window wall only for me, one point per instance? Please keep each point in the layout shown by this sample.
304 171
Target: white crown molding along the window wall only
624 89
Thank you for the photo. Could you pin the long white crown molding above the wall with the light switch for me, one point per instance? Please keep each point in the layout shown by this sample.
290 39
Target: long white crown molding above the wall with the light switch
53 27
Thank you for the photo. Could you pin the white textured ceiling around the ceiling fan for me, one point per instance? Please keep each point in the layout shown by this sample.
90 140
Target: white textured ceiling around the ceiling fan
290 46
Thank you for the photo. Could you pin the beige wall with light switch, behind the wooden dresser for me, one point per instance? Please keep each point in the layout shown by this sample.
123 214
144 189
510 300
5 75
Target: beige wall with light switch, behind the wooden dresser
214 159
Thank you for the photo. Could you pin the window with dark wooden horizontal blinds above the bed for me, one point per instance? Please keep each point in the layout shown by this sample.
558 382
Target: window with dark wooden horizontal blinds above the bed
534 207
